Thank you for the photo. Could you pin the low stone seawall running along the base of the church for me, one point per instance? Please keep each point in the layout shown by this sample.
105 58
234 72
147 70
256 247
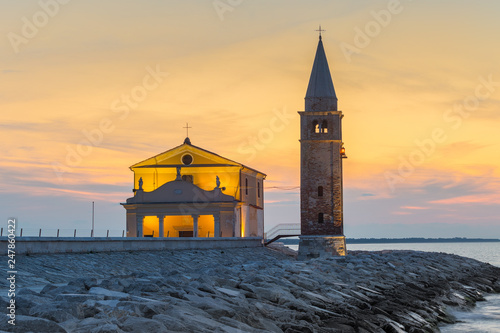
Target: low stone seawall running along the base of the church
36 245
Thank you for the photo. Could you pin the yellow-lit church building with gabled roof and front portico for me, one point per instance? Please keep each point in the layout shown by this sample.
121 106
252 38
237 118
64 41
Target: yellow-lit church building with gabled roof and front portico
188 191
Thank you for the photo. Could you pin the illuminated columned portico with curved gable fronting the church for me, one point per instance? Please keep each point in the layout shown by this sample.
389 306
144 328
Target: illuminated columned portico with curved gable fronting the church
180 198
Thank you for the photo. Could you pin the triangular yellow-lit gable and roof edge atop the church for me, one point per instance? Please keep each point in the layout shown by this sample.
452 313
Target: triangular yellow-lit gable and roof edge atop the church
202 157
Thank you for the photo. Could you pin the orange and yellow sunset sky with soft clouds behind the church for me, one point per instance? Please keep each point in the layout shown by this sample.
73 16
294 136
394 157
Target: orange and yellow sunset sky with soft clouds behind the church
418 83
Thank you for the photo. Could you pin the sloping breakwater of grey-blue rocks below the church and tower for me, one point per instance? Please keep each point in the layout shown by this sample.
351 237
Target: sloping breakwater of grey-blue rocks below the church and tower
245 290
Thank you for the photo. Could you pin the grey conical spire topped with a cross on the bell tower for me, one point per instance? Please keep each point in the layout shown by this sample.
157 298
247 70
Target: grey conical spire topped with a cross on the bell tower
320 95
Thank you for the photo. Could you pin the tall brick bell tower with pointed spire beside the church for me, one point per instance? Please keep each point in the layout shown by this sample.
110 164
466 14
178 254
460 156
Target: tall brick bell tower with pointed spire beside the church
321 154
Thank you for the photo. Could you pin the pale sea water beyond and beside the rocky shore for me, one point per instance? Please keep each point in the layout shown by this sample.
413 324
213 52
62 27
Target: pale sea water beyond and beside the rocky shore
485 317
